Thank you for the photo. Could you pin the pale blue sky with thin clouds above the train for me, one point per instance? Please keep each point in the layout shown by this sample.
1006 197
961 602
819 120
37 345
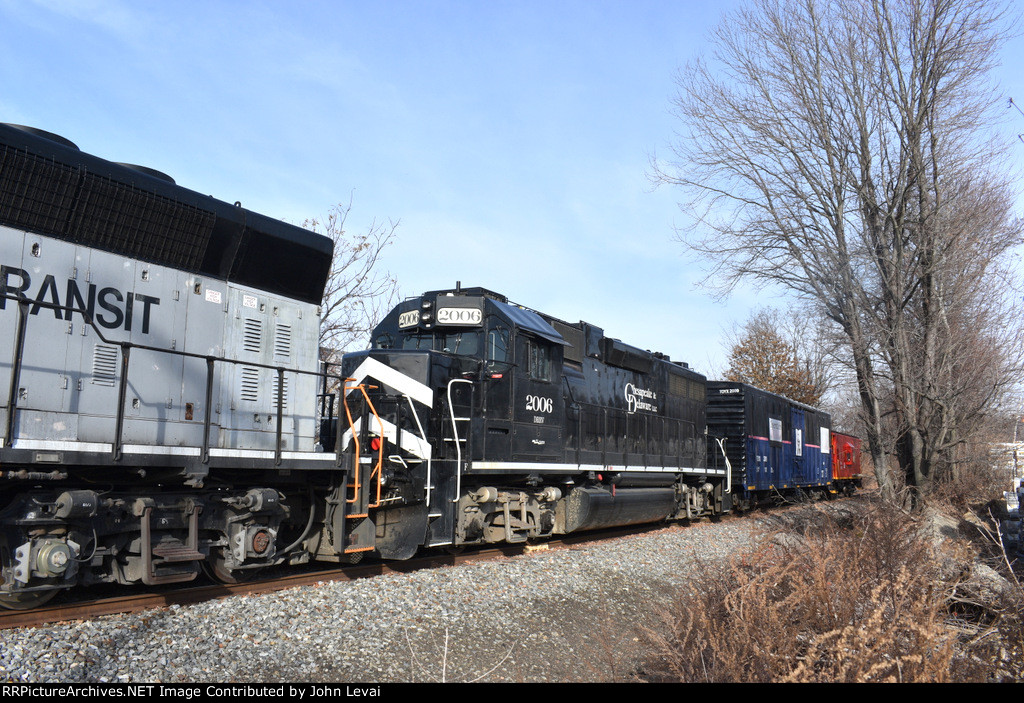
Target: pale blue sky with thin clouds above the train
511 140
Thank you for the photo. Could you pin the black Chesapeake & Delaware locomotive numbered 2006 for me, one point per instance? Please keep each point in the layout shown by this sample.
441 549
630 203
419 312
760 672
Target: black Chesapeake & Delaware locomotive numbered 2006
511 425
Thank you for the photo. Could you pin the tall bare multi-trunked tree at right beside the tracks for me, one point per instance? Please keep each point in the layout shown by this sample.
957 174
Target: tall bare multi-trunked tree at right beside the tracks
837 150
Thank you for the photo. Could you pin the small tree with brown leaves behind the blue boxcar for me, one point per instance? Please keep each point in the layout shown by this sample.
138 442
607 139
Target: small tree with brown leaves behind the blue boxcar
770 354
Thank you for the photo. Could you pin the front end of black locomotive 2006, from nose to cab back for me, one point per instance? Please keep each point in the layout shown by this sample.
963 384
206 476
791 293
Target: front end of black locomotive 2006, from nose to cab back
461 385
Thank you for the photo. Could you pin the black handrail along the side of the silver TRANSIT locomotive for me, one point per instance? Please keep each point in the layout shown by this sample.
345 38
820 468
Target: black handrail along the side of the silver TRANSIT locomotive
125 347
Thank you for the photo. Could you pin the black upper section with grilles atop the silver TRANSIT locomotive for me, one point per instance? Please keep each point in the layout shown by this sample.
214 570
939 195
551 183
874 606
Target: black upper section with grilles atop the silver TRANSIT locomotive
51 188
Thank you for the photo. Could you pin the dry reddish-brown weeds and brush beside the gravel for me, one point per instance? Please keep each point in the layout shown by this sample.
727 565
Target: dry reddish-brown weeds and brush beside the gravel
867 598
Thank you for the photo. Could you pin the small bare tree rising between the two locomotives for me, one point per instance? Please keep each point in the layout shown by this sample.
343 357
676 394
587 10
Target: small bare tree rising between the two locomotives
358 292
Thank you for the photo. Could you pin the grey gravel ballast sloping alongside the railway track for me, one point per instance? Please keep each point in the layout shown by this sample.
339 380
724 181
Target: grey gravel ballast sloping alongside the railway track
561 616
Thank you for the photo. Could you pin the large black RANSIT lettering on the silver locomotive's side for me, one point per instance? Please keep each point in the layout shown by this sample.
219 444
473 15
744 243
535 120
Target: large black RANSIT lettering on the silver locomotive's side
120 306
